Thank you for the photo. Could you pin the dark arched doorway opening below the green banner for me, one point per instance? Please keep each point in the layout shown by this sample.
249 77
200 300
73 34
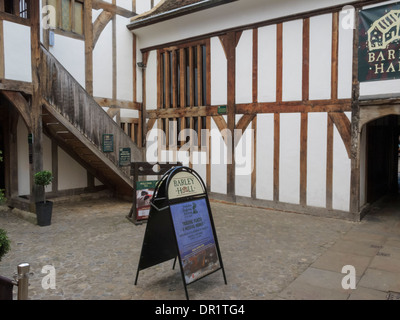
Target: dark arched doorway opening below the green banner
382 157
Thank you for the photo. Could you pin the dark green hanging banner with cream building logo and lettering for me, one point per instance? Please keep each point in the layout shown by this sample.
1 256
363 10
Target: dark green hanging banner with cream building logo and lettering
379 43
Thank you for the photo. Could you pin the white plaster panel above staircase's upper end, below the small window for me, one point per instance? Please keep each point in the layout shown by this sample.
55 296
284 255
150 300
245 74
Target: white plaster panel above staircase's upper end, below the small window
71 54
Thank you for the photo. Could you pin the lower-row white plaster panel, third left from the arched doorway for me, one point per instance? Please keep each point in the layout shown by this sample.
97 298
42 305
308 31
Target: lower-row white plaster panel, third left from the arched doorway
289 158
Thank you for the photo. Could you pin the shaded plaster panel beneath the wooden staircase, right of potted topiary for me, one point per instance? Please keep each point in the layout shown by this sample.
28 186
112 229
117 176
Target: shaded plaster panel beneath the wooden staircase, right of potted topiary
70 173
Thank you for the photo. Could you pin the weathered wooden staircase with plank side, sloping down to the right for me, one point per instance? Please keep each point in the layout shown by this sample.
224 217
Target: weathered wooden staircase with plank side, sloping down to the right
74 119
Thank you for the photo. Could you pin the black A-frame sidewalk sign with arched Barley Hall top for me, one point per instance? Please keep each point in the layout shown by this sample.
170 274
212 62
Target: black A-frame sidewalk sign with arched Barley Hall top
169 235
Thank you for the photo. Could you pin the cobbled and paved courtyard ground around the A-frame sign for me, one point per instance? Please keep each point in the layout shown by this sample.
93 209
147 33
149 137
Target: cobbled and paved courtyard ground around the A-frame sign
267 255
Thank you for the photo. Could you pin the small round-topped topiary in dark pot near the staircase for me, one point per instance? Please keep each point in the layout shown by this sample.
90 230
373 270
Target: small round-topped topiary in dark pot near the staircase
43 208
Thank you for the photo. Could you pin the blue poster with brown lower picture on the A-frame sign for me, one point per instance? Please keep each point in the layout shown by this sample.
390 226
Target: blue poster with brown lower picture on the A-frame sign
195 237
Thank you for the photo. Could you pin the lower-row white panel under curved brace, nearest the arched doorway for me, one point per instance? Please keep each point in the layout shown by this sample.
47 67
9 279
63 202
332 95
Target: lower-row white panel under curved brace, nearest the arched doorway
341 174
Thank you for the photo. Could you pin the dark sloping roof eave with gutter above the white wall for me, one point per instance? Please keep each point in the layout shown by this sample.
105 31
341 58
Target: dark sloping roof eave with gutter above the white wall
171 14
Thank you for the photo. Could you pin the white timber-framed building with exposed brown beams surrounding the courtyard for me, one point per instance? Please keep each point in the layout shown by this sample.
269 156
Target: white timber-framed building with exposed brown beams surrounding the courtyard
284 74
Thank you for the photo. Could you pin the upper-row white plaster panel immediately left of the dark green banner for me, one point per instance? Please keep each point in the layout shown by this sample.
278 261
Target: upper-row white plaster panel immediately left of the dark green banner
345 60
